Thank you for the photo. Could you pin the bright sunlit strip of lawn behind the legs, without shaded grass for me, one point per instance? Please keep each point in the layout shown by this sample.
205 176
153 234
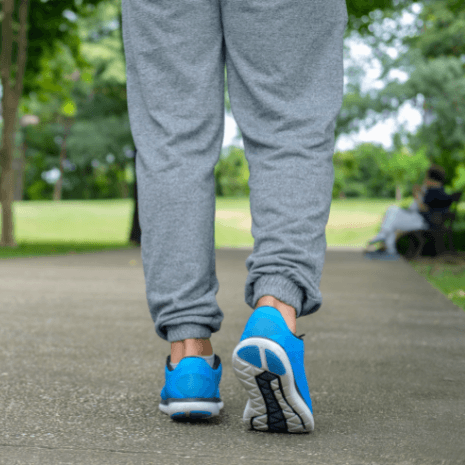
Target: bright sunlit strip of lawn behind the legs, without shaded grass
94 223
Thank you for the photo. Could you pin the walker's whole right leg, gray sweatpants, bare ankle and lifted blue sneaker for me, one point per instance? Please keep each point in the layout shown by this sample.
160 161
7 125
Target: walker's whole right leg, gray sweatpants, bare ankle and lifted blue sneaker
285 78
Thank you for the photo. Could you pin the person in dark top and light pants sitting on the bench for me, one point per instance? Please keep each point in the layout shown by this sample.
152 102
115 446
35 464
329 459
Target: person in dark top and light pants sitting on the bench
428 199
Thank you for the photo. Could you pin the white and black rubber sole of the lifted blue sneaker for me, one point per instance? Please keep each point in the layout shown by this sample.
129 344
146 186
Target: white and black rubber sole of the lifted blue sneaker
274 403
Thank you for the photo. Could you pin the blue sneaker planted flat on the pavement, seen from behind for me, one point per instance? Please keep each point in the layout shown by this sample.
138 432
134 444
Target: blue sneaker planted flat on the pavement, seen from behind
192 389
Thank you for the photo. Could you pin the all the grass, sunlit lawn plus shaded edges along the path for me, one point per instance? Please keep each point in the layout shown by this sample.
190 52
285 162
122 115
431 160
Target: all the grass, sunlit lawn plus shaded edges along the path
47 228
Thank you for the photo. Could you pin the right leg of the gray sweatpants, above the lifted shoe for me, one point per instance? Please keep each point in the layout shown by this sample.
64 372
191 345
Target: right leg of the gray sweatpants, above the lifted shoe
285 80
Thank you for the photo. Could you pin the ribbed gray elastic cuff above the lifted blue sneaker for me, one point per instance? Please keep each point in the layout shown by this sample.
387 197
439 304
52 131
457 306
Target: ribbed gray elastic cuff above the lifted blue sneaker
280 288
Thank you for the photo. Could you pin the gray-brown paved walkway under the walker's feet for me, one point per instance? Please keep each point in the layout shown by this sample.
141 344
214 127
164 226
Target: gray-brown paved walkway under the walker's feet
81 368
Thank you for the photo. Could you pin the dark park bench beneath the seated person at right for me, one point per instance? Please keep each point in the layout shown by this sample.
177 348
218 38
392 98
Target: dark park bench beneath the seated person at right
442 226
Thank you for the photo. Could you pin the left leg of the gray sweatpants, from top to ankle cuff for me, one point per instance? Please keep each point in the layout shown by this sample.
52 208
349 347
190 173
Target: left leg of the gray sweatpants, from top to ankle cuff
175 82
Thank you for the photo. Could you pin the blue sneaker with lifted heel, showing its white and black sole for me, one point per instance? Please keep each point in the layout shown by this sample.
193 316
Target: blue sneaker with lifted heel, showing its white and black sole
269 362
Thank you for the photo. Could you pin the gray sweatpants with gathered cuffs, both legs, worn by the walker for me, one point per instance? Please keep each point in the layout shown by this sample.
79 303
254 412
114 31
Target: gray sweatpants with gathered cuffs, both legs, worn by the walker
284 62
